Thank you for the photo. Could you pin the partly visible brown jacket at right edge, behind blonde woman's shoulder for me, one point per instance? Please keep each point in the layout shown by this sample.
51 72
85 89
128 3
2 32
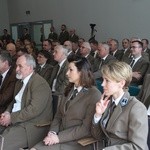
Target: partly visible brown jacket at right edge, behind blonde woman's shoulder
144 95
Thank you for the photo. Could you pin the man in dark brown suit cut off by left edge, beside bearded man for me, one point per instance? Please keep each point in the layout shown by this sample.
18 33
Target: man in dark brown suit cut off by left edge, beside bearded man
7 80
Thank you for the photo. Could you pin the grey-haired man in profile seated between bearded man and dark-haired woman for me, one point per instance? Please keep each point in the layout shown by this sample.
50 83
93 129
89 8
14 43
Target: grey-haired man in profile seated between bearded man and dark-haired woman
58 80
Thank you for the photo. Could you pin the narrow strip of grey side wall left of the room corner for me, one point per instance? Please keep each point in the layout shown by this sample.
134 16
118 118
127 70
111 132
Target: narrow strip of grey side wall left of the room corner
4 19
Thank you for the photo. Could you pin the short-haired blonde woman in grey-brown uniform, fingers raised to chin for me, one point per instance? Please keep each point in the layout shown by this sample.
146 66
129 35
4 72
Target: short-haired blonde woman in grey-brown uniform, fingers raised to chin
120 121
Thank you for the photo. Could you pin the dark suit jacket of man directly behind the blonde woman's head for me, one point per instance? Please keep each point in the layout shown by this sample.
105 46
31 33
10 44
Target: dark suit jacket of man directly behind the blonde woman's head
97 62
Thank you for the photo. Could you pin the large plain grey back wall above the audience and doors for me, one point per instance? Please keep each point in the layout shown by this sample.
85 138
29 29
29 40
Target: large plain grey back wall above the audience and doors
113 18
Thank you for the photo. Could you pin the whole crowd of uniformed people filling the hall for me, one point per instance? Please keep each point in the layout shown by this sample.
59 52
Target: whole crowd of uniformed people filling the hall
49 99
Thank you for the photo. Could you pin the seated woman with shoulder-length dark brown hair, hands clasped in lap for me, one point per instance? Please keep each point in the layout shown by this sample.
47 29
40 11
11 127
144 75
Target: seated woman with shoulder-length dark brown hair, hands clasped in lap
73 118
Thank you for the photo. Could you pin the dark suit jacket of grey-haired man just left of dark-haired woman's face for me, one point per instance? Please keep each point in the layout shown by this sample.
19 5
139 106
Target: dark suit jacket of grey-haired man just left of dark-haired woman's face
62 80
